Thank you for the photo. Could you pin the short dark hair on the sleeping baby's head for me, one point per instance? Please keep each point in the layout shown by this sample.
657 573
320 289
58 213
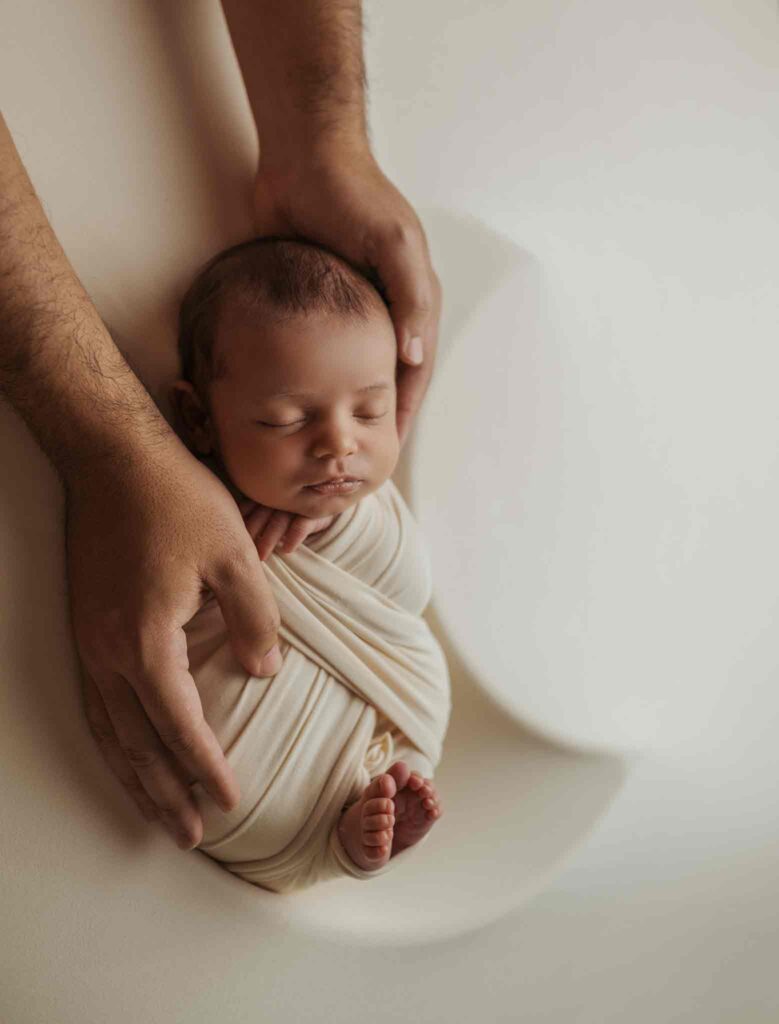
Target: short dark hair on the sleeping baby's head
274 279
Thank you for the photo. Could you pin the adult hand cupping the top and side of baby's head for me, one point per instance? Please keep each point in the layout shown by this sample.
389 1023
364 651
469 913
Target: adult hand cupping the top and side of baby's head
340 198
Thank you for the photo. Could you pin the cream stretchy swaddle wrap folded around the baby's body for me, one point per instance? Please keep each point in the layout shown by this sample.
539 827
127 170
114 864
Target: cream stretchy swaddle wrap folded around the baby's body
364 685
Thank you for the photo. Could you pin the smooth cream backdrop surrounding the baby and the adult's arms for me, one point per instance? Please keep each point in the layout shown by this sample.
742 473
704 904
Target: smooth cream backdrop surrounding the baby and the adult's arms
595 467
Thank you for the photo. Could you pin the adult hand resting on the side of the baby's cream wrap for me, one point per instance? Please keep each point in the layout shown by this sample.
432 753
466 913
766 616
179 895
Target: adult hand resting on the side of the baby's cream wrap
145 538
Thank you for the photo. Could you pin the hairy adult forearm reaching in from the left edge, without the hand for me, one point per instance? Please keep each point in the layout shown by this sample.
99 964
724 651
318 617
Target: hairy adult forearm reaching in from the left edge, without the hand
59 365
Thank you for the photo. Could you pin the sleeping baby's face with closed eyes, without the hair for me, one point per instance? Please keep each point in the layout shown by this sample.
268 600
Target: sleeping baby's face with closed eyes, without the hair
304 402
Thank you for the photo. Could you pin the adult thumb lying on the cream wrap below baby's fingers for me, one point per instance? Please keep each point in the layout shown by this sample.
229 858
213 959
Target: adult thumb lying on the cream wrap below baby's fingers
251 616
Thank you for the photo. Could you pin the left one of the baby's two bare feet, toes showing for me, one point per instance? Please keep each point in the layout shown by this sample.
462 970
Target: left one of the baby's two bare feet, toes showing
366 828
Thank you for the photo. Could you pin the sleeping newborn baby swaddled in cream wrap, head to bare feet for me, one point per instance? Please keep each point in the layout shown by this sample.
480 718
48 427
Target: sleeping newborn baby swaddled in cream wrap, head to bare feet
288 394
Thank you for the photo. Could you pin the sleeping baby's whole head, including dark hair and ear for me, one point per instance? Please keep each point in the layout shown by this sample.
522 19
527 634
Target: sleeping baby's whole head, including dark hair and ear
288 375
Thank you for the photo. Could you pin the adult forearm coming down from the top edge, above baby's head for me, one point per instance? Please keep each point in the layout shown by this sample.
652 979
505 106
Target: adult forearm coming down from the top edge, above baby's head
305 73
